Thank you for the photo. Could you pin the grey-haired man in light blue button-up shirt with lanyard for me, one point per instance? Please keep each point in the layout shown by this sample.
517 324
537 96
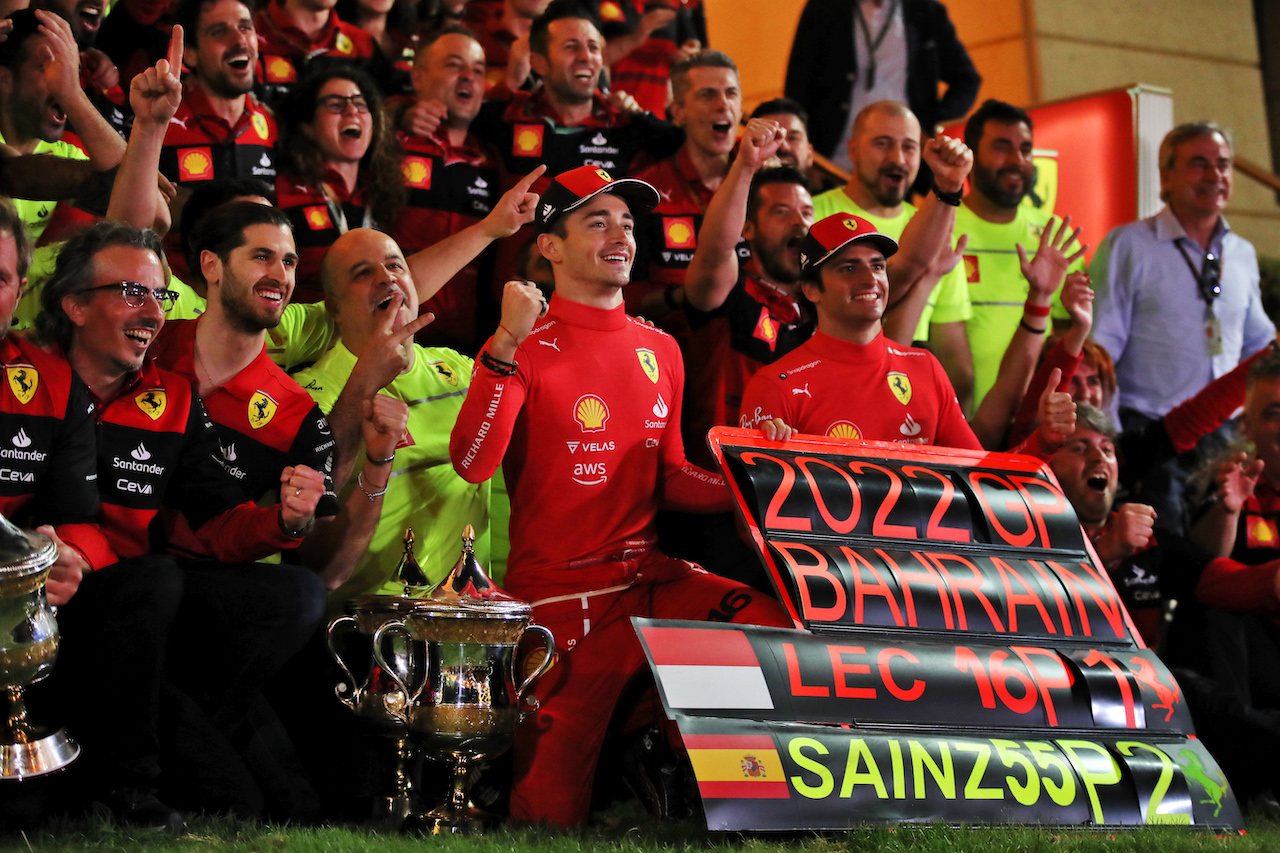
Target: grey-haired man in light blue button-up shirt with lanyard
1178 299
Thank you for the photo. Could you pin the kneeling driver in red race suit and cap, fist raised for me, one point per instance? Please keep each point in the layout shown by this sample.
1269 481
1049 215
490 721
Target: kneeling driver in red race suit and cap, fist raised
587 426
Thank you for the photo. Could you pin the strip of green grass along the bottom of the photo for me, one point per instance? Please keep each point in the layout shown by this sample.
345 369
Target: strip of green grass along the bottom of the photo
625 831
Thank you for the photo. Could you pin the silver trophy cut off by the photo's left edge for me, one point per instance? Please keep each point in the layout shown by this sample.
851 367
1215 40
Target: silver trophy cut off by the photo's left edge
29 646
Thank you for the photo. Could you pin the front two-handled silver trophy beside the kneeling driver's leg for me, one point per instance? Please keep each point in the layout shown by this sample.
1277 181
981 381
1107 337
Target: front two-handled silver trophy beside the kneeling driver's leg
464 705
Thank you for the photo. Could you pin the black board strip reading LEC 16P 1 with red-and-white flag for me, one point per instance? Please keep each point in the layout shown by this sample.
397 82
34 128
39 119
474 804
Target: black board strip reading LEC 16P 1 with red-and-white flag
877 678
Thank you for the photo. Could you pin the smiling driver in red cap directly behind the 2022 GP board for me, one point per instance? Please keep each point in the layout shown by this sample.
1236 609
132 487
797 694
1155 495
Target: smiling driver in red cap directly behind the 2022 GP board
848 381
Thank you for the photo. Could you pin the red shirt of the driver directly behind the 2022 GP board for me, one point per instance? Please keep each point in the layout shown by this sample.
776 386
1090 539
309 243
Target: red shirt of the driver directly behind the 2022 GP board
879 391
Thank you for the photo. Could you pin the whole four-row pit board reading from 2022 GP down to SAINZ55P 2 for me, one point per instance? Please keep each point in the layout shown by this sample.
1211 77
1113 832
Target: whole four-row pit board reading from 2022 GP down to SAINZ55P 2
968 658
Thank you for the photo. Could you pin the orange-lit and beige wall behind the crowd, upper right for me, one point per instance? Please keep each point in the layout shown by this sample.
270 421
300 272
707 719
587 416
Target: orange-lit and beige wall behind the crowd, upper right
1031 52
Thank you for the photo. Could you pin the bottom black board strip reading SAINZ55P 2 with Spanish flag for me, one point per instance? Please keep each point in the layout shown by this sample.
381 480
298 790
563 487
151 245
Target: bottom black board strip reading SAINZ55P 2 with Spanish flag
755 777
